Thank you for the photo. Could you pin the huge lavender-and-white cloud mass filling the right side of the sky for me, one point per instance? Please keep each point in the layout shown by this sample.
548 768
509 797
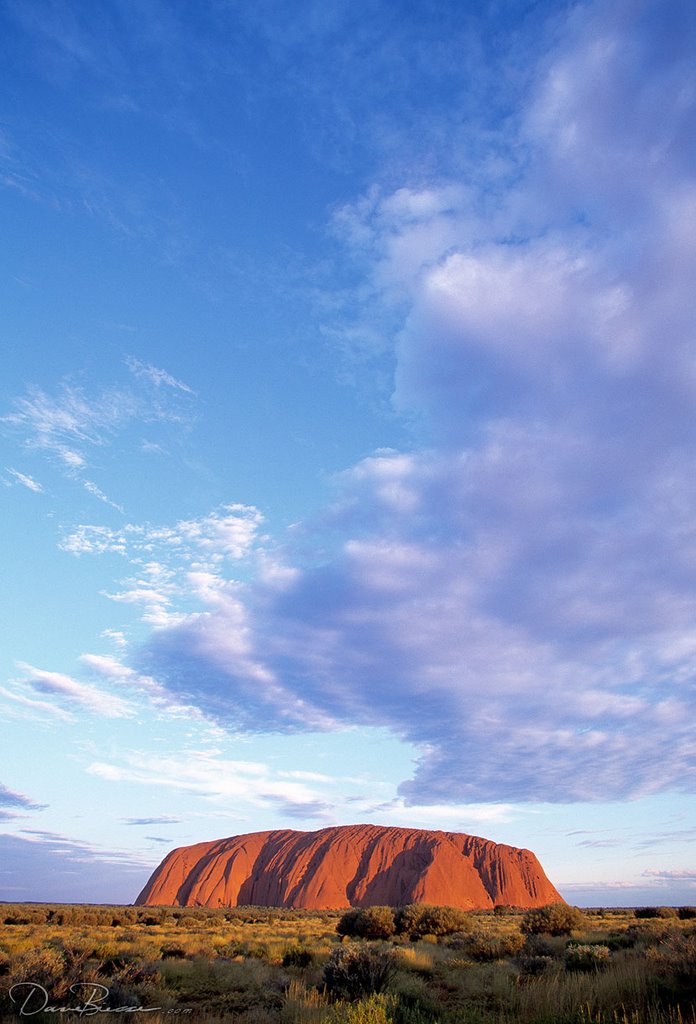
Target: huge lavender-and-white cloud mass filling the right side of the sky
518 601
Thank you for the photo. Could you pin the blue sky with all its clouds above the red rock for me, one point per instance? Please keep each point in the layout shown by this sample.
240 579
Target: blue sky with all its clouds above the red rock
347 433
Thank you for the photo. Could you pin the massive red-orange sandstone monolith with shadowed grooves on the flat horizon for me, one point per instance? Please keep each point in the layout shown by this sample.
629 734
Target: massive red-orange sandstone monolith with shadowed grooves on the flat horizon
351 866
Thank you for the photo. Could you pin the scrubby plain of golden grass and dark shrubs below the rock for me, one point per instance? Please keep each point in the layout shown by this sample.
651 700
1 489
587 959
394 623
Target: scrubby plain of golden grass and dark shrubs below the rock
415 966
